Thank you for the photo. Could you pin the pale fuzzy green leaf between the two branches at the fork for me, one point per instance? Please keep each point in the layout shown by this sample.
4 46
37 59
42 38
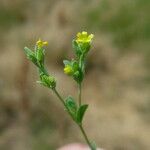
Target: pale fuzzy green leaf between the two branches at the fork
71 106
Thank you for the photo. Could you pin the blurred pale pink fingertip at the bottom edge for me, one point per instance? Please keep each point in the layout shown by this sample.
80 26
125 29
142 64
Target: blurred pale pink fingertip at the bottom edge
76 146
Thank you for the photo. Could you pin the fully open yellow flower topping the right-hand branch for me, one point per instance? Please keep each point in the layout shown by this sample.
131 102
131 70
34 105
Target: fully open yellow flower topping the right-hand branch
83 37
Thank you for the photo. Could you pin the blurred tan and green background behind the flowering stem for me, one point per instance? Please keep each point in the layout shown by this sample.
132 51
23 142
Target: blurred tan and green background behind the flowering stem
117 84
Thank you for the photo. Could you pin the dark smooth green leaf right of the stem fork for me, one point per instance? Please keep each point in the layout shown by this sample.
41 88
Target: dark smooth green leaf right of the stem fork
81 112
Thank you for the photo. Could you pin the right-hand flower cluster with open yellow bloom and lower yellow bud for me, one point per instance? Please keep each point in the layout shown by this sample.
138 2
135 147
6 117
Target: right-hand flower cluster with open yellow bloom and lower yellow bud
81 45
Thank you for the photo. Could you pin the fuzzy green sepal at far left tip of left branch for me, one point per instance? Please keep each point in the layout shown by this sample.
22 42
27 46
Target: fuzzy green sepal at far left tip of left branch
30 55
